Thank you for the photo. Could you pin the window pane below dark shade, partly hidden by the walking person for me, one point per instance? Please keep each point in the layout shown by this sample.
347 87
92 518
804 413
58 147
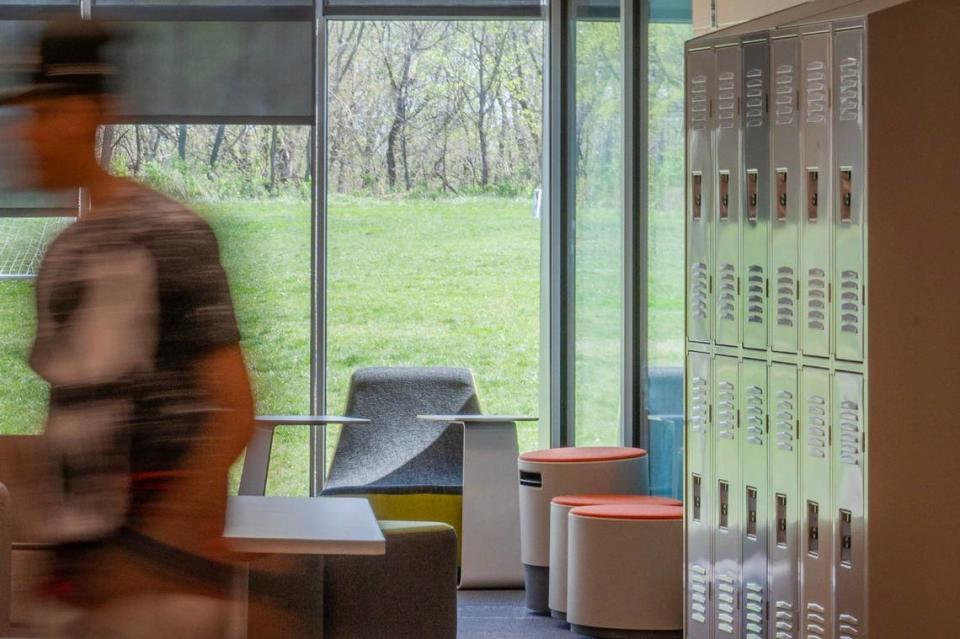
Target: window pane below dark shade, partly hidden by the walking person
252 184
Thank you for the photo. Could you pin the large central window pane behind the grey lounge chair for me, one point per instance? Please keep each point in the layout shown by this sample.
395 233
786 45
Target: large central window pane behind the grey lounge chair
434 173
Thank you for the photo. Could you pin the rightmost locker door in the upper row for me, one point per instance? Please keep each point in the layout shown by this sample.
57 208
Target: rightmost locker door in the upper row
849 274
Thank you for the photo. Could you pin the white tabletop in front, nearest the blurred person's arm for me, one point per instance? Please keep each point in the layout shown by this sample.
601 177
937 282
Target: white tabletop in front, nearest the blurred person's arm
303 525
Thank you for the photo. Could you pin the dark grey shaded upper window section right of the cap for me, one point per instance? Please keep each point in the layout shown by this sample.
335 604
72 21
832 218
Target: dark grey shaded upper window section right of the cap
217 70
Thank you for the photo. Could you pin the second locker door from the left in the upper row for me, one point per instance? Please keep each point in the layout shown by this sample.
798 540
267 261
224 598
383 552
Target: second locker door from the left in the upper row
727 126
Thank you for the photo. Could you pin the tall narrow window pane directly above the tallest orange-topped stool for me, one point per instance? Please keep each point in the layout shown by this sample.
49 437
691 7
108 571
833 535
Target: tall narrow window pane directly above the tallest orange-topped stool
599 232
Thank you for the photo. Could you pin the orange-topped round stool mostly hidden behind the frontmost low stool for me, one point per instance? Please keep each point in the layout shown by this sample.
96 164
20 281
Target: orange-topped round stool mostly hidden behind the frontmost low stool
560 508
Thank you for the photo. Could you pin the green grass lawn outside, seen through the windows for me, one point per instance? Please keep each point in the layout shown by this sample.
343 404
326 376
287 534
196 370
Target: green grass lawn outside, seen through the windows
411 282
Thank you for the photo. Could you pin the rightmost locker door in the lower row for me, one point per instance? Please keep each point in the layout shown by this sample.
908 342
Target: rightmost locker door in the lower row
848 477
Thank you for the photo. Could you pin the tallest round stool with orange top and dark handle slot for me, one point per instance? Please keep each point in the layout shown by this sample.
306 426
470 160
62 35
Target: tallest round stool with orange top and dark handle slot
545 474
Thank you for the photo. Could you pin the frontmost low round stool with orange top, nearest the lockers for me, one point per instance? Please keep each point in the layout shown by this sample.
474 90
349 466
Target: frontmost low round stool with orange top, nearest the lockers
625 573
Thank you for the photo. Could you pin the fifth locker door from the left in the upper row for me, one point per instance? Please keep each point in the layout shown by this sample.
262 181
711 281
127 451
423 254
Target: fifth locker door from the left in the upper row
816 206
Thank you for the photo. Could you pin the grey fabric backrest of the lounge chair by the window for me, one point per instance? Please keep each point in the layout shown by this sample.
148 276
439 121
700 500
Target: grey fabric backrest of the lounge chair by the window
397 452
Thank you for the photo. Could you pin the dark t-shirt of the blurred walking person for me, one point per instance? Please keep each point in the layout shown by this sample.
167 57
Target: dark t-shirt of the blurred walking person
127 303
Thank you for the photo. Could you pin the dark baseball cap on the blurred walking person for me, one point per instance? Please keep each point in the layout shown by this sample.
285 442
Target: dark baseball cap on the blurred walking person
71 62
